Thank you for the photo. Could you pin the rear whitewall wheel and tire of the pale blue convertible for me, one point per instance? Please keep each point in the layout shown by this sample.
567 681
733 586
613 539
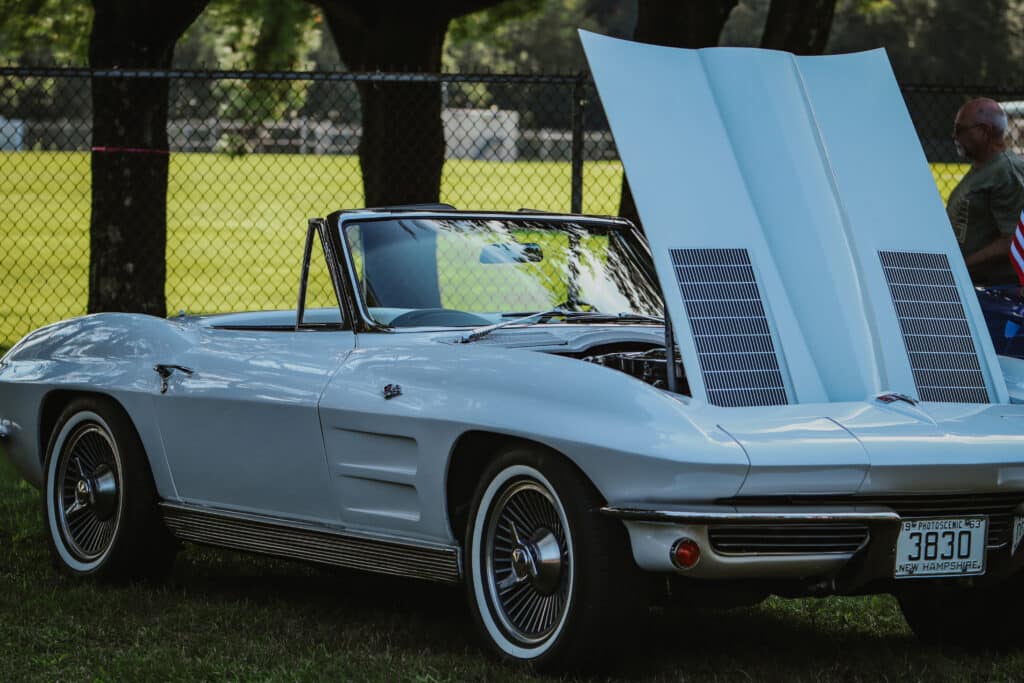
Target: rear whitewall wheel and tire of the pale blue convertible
100 501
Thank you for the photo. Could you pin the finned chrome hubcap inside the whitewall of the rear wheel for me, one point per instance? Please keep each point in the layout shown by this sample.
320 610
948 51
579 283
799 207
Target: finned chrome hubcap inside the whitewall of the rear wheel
88 494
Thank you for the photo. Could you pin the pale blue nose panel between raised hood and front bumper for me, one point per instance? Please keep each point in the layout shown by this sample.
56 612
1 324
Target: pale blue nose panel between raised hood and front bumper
868 448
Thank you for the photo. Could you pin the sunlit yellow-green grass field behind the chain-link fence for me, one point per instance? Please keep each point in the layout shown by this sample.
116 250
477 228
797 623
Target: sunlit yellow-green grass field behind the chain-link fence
236 226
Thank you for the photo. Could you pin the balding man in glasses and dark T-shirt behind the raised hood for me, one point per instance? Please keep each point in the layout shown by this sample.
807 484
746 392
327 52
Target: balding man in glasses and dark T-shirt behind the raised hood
986 205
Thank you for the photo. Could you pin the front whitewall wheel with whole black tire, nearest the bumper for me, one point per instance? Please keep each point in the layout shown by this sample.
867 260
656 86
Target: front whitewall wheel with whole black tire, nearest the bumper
548 578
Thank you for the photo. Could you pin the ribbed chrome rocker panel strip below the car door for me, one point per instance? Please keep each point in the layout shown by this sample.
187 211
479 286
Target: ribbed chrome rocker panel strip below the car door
302 541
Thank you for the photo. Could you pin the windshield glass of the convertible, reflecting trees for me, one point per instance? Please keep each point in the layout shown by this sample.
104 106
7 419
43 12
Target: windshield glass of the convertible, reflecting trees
482 271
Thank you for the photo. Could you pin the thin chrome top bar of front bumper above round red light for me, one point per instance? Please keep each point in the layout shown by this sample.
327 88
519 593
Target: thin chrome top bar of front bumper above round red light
698 517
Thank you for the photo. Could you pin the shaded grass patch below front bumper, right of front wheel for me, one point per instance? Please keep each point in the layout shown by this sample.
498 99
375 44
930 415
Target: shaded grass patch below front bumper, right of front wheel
837 638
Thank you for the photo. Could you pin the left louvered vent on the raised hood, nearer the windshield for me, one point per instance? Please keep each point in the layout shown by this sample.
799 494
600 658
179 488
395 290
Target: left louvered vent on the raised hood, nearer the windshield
731 331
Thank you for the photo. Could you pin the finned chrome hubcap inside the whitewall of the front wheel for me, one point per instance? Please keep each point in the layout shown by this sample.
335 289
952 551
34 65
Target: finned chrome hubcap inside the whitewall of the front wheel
528 562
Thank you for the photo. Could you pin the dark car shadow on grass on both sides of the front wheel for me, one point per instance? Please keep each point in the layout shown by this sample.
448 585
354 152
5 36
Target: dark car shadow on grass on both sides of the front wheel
792 641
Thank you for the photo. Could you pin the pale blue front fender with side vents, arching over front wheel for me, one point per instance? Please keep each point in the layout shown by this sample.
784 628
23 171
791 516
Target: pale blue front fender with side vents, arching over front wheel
632 441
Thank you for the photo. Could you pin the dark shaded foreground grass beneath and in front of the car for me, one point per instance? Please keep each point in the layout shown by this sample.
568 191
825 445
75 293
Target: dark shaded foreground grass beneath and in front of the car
224 616
